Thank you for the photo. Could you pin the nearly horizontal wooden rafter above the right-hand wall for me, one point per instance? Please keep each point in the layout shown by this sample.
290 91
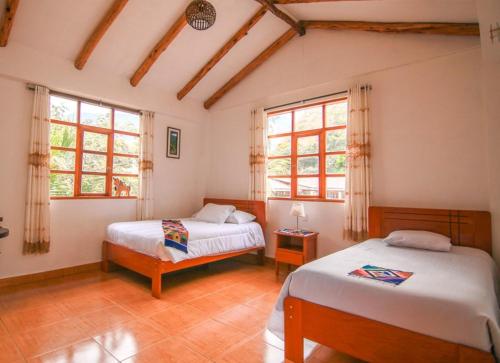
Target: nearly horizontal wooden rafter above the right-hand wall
400 27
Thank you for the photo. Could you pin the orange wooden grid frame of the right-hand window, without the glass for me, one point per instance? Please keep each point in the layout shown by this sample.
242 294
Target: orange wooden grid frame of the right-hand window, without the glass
322 153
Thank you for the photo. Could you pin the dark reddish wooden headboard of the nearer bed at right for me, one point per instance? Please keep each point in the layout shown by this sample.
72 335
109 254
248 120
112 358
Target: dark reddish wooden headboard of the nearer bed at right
465 228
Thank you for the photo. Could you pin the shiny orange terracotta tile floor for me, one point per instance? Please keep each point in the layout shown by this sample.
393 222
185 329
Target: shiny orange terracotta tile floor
211 315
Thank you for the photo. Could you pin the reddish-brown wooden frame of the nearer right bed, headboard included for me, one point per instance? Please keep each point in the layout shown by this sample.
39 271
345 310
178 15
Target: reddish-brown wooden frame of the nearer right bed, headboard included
375 341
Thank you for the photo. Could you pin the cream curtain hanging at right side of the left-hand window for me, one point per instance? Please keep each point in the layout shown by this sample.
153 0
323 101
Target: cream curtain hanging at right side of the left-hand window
145 197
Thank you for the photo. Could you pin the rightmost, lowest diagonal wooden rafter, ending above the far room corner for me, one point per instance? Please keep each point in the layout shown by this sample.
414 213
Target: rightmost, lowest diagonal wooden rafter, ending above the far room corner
250 67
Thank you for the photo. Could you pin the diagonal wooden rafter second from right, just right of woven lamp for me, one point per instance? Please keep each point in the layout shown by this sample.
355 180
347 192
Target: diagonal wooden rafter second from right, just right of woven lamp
222 52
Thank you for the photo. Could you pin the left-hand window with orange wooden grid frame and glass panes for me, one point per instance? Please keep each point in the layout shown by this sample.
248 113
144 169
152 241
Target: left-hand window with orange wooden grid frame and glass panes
94 150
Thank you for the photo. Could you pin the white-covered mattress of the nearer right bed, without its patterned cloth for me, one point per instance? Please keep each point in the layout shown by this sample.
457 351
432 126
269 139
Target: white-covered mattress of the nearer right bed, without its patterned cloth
450 296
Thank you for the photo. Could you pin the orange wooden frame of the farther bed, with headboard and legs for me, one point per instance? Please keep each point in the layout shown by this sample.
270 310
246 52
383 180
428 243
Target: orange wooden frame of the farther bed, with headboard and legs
154 267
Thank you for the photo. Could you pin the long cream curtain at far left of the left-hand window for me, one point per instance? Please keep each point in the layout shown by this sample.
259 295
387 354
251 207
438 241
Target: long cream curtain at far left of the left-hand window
37 219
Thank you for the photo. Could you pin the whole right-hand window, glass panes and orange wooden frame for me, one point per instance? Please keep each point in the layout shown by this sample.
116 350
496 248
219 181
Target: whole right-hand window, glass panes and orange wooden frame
307 152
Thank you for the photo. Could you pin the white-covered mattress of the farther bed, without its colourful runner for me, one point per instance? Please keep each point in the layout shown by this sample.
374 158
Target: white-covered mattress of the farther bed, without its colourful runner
204 238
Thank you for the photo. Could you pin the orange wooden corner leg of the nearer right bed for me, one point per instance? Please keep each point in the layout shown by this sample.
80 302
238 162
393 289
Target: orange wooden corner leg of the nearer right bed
294 341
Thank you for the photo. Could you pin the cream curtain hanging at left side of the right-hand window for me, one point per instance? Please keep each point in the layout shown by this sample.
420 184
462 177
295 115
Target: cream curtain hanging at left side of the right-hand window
258 132
